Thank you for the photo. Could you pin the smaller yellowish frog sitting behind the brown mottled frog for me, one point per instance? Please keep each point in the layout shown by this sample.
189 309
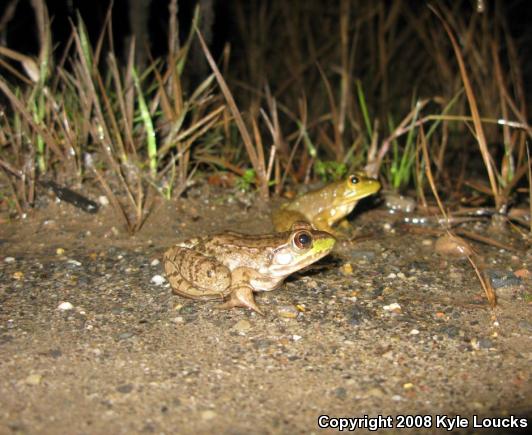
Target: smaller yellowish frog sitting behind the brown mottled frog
325 207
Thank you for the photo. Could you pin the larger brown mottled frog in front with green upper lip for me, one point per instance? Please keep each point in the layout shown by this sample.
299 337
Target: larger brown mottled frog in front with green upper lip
232 266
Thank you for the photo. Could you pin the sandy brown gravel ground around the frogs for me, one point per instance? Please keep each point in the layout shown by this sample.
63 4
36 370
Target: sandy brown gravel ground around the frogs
92 340
